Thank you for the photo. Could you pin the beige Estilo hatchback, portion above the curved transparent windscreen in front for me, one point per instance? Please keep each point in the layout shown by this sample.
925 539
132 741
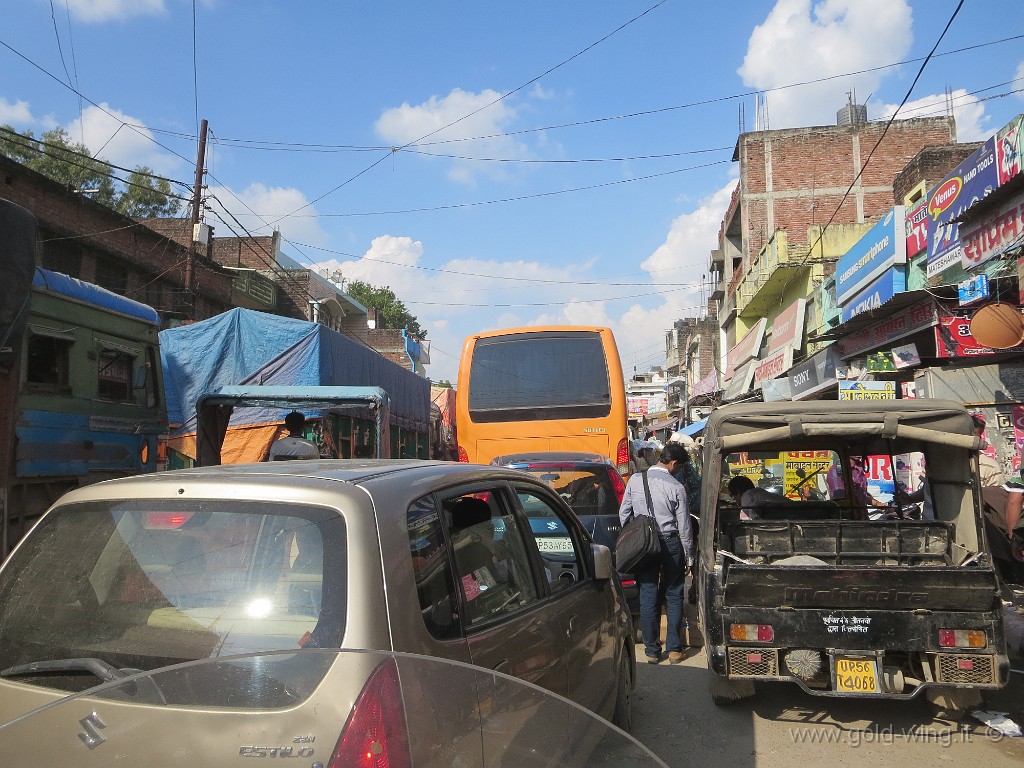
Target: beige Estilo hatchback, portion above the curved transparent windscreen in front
410 557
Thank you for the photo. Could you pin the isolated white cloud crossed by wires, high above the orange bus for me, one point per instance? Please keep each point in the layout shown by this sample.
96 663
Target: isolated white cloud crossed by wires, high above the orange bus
456 117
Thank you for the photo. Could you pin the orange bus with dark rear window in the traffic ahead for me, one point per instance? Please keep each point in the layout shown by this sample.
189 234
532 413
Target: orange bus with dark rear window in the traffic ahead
542 389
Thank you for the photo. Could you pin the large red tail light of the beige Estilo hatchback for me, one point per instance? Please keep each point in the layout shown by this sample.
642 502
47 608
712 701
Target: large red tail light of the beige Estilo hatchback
375 736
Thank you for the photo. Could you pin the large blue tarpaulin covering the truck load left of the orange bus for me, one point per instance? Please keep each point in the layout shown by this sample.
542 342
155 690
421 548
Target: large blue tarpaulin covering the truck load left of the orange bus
244 347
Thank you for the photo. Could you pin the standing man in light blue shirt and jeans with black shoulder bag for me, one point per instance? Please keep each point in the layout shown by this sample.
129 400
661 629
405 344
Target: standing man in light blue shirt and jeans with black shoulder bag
668 504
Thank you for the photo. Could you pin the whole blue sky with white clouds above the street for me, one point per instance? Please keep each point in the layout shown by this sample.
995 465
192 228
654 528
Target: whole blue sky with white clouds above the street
495 164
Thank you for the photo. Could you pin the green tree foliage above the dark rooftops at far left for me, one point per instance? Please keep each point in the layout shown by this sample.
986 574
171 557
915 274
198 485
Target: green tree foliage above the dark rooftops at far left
56 156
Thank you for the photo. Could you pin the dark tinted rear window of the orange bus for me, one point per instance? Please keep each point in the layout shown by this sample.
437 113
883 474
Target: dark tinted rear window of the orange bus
537 376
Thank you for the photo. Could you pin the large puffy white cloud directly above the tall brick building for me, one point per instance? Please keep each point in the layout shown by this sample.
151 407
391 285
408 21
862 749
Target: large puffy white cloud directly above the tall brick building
799 42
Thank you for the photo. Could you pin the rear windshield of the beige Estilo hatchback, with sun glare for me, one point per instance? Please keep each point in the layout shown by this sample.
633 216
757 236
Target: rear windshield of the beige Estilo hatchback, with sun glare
144 583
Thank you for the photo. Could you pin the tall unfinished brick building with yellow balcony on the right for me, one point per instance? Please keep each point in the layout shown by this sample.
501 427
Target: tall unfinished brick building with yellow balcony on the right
804 197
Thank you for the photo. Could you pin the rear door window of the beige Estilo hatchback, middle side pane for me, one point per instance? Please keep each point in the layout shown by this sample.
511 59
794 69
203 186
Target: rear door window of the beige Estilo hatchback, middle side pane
493 569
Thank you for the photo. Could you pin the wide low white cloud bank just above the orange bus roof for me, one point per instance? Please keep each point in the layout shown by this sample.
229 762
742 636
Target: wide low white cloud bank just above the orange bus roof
453 303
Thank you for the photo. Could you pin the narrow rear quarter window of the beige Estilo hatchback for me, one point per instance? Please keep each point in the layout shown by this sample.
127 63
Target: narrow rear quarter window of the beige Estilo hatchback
435 581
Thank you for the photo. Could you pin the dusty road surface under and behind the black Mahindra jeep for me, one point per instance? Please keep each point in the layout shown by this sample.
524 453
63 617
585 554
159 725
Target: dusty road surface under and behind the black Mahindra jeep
783 727
